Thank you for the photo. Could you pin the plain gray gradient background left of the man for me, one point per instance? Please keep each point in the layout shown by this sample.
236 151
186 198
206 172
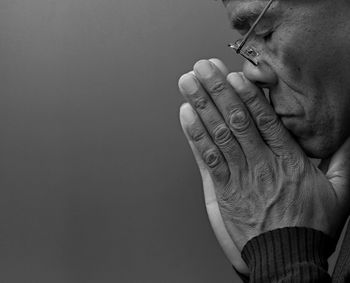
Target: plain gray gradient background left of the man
97 183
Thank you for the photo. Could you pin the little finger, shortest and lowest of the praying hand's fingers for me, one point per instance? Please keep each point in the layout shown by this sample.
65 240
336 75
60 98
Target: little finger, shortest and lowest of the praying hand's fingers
207 155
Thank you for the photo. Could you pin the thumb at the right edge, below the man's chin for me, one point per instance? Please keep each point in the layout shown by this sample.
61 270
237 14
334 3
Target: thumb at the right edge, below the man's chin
339 171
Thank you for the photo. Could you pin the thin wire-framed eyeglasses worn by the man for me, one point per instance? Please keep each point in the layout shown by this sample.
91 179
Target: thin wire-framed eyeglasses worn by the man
249 52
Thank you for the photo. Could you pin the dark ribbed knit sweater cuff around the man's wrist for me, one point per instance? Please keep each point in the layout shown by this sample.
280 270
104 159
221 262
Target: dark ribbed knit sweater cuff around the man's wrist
288 253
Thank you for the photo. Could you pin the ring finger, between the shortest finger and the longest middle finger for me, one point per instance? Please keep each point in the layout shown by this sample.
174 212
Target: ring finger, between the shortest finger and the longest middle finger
211 118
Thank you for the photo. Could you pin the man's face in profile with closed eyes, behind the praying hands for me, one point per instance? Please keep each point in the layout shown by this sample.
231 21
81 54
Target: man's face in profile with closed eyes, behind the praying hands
304 62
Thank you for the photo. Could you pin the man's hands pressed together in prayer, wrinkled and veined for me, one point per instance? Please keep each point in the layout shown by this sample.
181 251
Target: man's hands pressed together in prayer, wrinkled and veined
256 178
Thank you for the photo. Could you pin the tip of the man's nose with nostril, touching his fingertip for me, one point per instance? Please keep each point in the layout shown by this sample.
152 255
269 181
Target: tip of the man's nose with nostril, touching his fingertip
262 74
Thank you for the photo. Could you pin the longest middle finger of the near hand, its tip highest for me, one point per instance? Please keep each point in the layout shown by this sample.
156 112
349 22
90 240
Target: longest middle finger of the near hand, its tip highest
232 109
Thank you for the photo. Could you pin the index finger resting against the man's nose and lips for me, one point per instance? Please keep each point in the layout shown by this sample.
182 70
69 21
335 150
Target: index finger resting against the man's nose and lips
271 128
